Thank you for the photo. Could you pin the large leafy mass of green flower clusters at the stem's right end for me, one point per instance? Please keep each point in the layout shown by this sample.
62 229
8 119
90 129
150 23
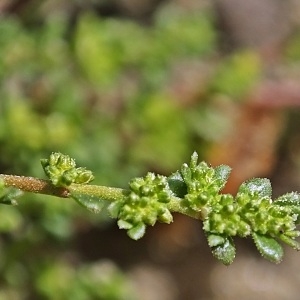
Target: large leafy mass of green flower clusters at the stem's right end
251 212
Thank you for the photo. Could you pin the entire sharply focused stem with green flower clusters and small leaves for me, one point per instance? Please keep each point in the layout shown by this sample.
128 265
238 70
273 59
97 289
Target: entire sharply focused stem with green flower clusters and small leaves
194 190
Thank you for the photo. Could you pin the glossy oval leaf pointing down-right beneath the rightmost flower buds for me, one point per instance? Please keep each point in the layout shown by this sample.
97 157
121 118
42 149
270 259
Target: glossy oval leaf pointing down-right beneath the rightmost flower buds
268 247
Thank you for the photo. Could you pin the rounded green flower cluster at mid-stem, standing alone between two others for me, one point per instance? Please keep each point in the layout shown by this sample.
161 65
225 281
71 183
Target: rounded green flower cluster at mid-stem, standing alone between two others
145 204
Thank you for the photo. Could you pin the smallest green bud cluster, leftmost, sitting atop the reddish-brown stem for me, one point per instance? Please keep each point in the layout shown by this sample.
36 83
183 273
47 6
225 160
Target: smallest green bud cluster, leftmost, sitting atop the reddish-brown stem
61 170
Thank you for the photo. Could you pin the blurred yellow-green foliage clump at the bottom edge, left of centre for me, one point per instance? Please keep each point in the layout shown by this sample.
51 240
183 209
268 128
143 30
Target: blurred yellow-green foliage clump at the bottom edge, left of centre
101 280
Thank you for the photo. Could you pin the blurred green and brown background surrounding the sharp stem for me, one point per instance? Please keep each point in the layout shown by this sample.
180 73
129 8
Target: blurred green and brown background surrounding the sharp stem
127 87
